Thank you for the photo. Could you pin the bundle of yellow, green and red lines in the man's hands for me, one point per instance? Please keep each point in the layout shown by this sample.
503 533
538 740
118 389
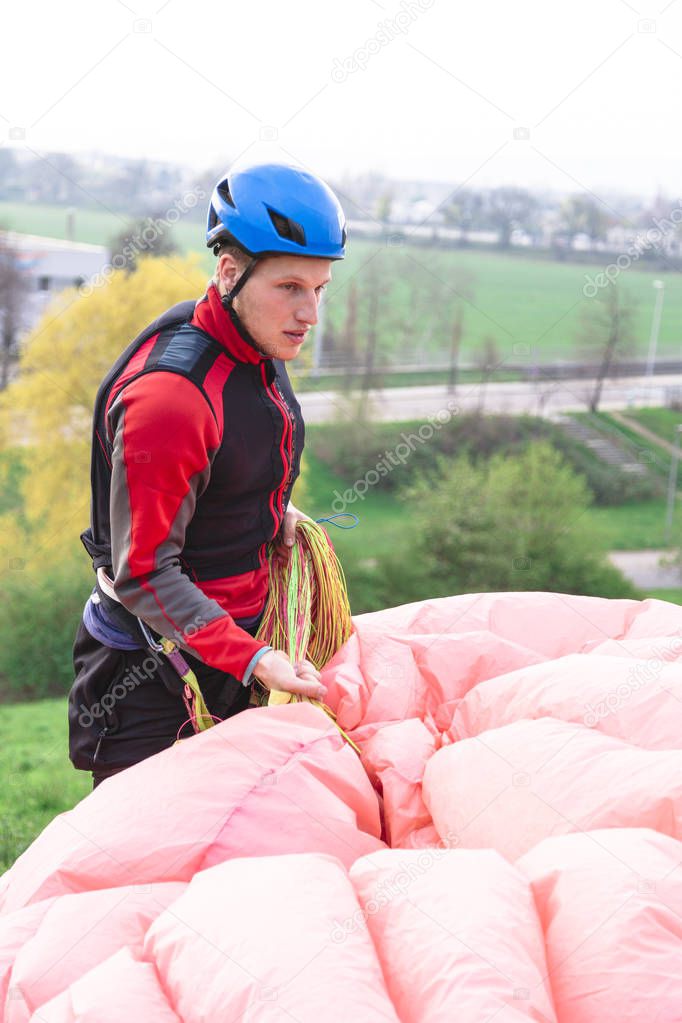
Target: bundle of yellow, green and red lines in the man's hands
307 613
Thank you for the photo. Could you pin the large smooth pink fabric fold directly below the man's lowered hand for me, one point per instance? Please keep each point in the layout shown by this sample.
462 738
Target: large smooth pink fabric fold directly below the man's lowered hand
192 806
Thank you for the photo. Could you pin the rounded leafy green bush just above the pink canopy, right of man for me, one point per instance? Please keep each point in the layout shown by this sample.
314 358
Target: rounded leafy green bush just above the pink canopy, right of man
510 523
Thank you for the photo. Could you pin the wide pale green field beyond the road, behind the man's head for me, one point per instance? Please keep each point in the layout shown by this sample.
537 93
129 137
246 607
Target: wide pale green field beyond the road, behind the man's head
531 307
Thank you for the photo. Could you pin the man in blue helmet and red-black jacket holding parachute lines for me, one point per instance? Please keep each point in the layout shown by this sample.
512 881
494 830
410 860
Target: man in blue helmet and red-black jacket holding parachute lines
197 444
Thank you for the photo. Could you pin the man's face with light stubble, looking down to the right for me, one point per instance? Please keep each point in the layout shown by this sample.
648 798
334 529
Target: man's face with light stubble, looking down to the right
279 304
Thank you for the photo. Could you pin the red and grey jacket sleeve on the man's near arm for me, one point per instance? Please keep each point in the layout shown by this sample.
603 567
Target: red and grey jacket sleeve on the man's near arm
165 438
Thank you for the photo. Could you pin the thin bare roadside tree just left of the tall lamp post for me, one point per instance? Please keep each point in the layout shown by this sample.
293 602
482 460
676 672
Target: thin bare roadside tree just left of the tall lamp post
607 334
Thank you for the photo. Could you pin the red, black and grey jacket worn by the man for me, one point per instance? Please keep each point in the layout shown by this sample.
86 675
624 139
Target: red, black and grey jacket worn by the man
197 447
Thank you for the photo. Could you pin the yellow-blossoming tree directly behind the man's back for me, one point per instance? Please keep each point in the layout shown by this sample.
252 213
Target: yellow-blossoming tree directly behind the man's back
50 408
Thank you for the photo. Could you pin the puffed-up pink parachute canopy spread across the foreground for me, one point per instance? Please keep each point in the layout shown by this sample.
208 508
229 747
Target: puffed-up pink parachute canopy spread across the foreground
508 847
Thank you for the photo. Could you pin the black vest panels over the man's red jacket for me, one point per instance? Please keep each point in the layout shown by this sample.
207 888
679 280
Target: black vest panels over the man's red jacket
235 518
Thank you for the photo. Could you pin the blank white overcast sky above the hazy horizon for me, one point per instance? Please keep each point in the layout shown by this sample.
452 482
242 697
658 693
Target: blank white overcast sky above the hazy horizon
564 96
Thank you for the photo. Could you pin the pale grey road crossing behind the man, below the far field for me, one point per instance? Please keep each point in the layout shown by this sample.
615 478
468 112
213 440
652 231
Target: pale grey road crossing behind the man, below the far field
544 398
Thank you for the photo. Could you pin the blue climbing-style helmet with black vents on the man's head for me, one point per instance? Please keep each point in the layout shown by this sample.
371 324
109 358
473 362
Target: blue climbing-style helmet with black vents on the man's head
274 209
